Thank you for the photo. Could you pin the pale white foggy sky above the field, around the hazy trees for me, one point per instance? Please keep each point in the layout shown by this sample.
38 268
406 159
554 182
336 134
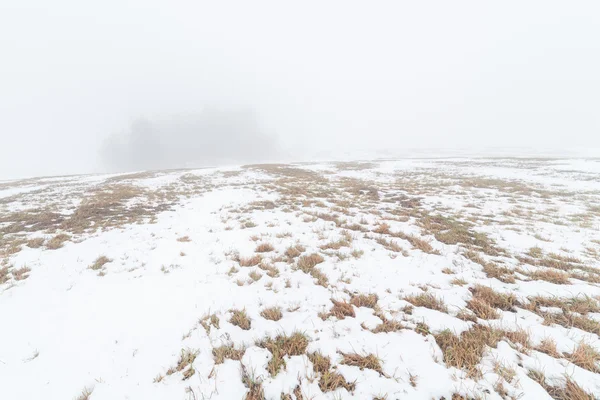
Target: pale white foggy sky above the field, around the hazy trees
320 77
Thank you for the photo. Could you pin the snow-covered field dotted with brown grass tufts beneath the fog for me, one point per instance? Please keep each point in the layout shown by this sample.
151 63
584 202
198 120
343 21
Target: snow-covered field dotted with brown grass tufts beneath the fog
407 279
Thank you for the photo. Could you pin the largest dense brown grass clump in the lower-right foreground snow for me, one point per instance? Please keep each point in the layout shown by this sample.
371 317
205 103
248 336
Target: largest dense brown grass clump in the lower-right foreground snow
465 351
